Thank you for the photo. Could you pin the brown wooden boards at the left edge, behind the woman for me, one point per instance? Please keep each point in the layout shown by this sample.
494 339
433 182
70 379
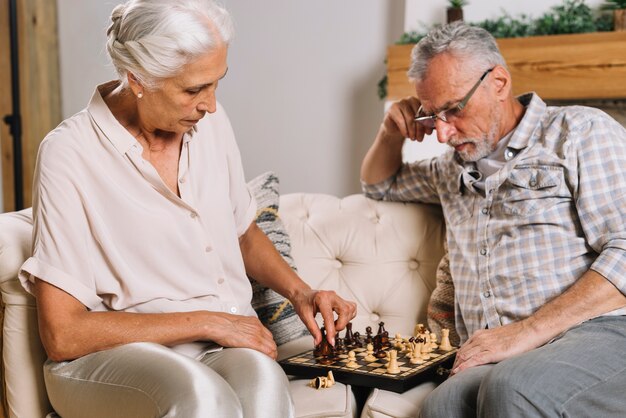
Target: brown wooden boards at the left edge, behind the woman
39 87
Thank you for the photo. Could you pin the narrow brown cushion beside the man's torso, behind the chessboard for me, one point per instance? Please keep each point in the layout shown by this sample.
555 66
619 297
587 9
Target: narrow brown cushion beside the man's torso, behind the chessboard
441 303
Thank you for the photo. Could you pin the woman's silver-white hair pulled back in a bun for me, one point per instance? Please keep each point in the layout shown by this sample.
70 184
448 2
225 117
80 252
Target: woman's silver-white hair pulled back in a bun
154 39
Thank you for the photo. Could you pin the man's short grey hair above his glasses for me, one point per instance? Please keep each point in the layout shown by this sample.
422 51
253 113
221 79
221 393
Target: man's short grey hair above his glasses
474 45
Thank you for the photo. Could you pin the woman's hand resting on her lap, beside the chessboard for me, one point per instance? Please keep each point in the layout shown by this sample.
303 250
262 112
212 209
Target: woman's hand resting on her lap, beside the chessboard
242 331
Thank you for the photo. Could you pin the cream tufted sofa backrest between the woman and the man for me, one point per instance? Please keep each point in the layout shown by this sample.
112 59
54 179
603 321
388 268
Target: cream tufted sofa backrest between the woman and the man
382 255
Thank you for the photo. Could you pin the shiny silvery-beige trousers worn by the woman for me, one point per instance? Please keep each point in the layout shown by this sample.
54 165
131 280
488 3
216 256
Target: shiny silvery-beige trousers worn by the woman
149 380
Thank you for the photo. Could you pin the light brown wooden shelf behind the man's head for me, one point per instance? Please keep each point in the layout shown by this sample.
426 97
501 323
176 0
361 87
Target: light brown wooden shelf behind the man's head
557 67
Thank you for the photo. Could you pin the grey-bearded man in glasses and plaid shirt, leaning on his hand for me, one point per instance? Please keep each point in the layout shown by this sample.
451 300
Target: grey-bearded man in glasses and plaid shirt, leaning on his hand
534 200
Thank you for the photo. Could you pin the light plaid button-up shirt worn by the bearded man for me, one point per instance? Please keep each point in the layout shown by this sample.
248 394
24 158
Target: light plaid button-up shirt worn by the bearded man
555 210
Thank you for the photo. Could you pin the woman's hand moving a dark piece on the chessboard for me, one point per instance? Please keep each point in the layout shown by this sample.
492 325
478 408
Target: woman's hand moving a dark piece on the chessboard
308 303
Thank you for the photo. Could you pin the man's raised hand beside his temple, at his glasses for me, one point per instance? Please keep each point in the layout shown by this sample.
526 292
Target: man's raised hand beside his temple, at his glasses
399 120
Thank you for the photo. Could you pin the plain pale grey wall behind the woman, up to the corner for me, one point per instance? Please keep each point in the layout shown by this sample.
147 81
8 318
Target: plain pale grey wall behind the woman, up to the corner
301 90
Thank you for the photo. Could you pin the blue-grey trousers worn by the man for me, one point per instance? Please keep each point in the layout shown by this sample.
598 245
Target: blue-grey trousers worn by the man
581 374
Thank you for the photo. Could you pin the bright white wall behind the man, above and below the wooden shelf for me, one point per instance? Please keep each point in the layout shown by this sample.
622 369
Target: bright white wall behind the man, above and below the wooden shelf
421 15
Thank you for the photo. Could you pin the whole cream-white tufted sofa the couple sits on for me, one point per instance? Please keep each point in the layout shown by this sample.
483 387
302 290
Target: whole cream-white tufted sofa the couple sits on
381 255
